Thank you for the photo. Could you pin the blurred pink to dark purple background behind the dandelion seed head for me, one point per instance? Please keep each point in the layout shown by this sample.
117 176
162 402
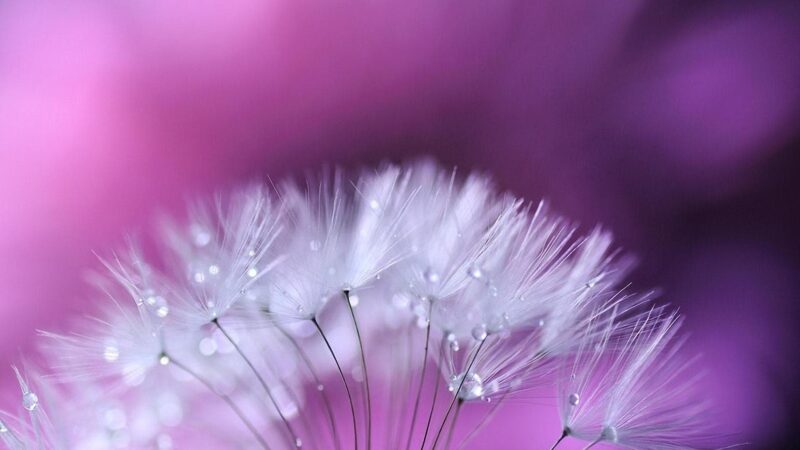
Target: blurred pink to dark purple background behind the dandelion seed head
673 123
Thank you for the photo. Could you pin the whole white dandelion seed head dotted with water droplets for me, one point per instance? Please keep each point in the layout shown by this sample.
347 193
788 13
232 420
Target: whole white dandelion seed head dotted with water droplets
249 318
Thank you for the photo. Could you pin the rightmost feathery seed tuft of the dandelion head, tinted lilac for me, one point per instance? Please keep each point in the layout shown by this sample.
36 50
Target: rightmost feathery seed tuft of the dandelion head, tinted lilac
632 387
